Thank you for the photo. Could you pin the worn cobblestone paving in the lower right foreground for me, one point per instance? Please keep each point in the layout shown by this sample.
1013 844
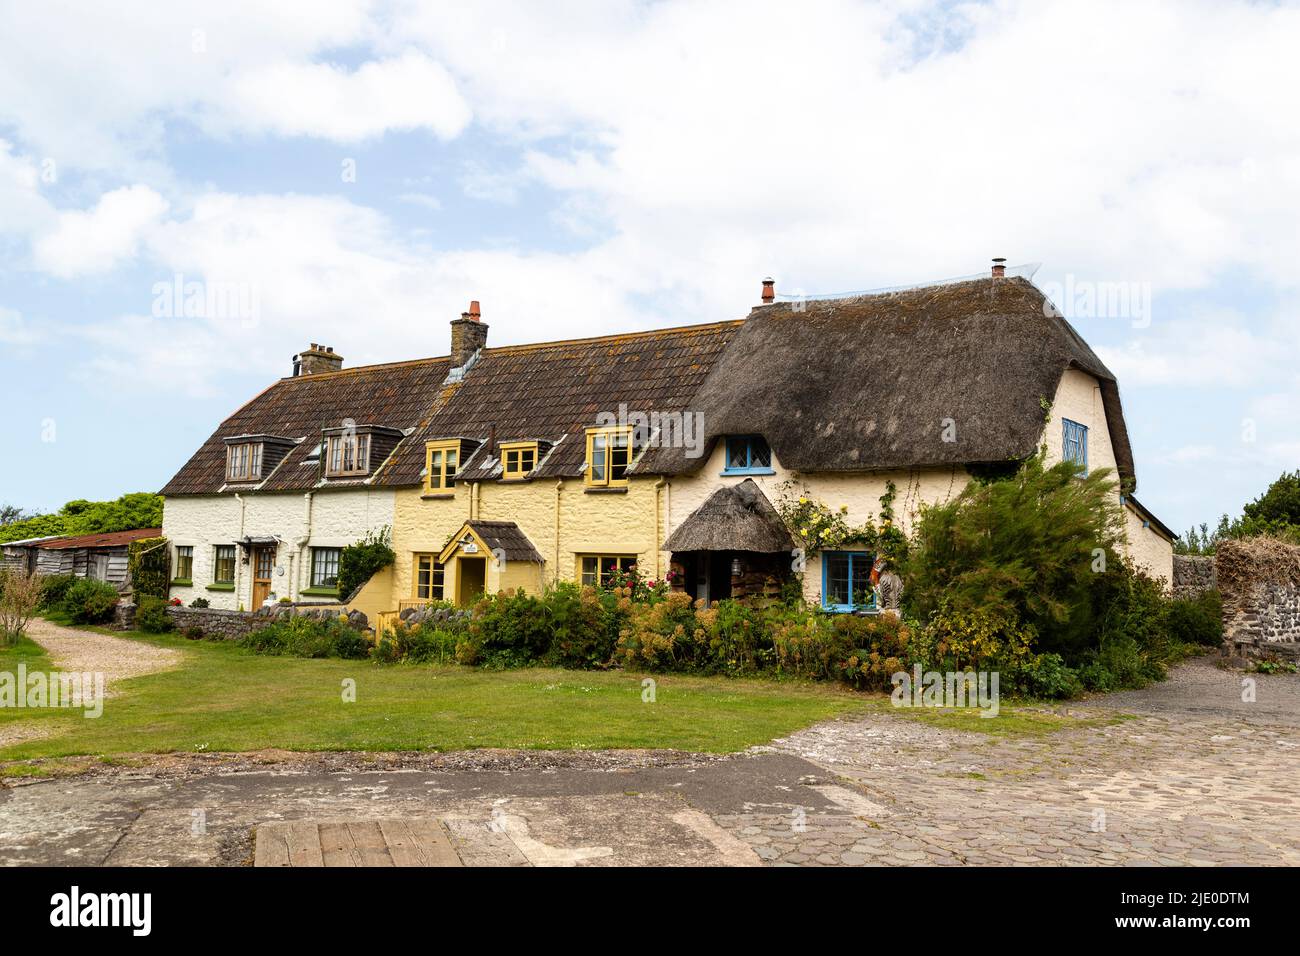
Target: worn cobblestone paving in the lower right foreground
1172 786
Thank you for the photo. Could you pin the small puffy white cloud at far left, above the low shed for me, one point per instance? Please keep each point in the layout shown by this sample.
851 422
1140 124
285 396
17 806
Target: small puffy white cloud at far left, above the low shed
99 239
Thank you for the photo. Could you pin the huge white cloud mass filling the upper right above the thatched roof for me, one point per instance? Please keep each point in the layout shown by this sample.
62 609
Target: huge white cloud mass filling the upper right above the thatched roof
844 146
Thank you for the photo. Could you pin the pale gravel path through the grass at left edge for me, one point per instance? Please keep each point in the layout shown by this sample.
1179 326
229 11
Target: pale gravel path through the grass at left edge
72 650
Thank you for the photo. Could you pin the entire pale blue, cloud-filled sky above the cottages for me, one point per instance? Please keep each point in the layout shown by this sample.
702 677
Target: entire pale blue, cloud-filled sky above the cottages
362 171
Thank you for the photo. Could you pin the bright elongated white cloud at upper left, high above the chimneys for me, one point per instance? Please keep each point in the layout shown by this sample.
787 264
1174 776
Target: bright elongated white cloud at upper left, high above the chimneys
324 101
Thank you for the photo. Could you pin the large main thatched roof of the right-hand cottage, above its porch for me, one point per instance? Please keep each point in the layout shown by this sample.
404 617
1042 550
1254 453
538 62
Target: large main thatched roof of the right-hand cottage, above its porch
866 383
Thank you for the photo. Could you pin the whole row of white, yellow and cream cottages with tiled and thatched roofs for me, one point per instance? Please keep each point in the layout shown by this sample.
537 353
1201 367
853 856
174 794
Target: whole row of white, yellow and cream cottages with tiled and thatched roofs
671 451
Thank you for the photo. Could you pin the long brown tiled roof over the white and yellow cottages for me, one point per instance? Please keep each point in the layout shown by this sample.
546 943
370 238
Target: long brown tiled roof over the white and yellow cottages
553 392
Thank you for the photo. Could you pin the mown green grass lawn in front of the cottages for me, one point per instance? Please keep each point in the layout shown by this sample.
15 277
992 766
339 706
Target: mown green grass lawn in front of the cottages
228 699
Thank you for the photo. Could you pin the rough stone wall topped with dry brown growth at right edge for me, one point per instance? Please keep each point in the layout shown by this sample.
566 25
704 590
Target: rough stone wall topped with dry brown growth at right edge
1260 581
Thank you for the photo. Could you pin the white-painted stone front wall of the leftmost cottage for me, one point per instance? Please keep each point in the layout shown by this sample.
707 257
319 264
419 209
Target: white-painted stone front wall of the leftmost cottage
326 520
